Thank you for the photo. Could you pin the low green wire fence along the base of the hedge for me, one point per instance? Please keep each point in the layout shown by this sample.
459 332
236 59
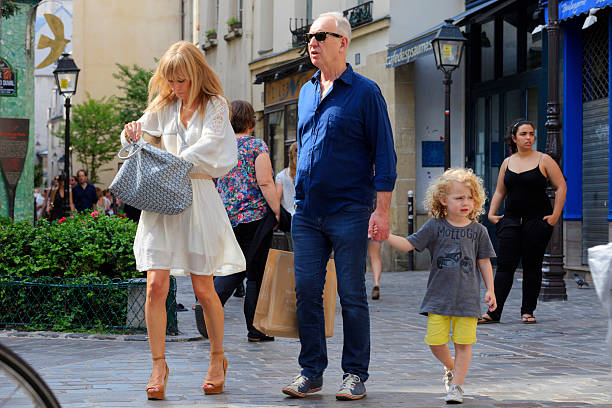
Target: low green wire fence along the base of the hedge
79 304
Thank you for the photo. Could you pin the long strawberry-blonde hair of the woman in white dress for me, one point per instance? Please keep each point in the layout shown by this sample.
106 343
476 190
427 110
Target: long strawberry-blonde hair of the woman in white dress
183 60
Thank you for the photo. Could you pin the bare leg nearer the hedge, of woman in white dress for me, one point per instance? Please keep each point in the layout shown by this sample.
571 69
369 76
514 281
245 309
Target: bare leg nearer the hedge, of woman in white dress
158 282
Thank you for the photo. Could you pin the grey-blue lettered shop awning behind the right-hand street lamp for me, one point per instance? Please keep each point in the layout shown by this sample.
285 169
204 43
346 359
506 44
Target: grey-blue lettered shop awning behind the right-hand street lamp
420 45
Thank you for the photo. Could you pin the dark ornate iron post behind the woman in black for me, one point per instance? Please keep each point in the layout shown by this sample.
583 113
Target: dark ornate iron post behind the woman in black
553 285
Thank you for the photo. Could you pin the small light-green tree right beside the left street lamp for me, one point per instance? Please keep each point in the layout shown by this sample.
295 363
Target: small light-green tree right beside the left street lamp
94 133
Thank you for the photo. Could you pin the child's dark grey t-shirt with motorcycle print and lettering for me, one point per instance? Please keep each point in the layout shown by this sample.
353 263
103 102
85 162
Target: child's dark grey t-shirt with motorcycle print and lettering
453 288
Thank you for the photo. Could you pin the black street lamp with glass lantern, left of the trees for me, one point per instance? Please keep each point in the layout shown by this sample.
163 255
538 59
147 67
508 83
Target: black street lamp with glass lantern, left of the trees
66 77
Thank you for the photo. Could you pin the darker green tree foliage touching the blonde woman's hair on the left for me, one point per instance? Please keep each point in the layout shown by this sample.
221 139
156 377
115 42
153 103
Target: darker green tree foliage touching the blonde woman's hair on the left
134 83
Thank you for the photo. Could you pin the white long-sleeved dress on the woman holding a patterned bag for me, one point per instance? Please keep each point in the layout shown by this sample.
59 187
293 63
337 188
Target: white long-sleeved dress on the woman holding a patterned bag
200 240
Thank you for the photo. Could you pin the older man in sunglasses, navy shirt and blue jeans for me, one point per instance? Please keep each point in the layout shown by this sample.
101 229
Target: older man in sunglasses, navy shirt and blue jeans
346 158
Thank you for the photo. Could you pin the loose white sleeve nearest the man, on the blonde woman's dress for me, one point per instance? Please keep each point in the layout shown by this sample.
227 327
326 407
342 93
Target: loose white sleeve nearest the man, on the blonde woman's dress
216 151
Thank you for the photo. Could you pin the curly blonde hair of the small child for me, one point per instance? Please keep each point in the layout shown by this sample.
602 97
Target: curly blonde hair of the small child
442 185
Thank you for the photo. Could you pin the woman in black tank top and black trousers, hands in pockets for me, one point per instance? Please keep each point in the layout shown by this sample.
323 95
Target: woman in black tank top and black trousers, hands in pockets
527 224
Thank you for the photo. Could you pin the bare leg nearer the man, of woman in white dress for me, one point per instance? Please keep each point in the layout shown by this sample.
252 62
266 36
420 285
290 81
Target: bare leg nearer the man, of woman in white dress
204 289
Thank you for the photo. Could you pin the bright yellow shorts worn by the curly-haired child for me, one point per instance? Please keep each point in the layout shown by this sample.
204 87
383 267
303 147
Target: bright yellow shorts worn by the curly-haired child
438 329
